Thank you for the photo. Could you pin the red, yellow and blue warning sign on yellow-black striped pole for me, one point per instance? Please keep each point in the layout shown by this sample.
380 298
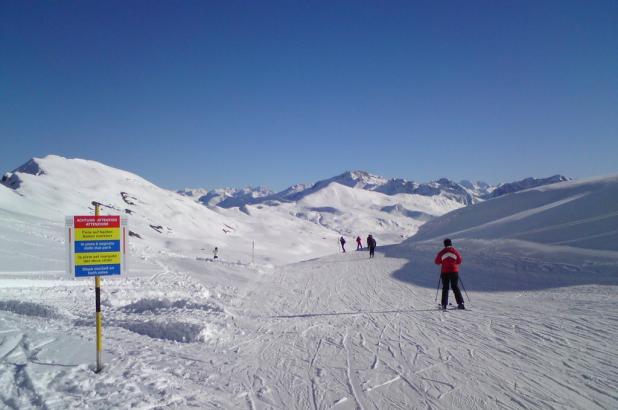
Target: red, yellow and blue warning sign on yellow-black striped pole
96 248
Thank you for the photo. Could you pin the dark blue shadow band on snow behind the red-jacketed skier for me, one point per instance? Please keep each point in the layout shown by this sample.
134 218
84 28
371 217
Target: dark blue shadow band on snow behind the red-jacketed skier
500 269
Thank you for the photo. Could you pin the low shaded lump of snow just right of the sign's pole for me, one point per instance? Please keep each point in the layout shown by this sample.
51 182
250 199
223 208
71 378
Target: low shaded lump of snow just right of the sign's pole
174 331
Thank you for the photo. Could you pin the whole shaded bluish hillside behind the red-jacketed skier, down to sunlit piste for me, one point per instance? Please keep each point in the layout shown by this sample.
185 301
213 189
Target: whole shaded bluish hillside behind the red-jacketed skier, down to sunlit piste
556 235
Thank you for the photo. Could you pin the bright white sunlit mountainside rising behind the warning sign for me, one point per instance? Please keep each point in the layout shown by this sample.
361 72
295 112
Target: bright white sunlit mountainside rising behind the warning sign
161 220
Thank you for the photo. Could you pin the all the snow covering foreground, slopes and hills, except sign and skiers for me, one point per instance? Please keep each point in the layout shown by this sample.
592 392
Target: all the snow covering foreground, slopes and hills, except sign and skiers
302 325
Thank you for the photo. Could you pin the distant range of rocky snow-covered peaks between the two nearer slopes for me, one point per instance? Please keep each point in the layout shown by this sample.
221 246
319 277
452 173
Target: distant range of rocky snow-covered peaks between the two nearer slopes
357 202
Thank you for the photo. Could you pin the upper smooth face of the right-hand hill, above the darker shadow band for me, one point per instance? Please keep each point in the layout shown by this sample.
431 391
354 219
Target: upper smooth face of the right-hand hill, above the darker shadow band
582 214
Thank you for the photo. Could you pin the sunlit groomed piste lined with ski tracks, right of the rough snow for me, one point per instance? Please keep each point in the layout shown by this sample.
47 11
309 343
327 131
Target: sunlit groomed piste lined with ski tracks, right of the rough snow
340 332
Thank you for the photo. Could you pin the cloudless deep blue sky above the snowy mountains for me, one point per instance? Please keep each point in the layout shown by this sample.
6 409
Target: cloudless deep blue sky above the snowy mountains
236 93
